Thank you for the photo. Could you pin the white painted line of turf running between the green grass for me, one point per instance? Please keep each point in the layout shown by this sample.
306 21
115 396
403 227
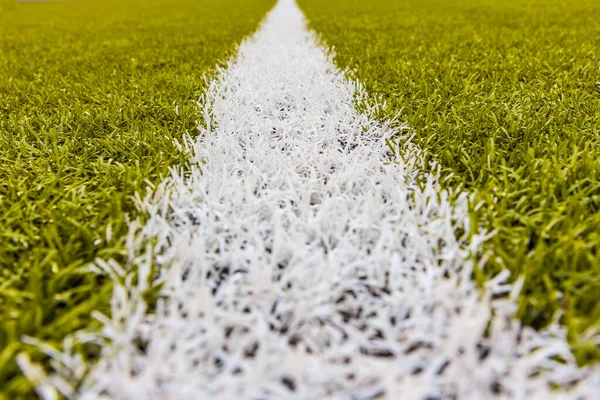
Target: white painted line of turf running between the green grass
300 256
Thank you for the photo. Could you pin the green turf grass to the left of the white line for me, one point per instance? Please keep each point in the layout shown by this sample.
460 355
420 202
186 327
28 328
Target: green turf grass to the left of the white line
92 96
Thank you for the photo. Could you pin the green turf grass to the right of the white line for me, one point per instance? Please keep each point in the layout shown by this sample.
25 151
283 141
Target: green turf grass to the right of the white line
505 95
